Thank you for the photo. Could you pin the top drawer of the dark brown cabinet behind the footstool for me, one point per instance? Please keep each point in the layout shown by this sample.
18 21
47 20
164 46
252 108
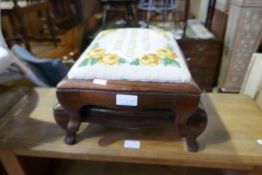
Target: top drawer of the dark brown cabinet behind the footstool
203 61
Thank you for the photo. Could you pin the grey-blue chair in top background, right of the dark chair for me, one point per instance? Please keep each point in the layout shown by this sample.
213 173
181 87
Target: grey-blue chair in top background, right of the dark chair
162 7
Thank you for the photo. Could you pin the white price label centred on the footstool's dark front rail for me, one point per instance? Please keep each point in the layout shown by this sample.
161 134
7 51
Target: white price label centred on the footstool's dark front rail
126 100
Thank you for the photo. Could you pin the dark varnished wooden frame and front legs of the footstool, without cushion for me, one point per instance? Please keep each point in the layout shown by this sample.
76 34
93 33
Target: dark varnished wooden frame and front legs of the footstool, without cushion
181 99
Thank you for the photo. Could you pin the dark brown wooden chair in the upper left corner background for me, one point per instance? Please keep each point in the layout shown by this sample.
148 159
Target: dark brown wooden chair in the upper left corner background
31 23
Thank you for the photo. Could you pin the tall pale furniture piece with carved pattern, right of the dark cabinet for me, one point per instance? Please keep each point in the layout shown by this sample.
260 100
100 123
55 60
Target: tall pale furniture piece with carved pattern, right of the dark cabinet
242 38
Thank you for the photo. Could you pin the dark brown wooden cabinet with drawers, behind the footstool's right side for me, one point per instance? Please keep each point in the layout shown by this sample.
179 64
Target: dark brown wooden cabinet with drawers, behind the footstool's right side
203 59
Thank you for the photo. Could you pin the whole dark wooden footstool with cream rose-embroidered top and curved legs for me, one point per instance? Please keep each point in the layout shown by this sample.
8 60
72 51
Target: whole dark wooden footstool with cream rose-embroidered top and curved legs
131 78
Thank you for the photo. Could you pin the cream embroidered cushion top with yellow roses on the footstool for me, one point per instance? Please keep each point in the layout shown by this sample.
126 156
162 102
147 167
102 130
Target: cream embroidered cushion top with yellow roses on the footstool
132 54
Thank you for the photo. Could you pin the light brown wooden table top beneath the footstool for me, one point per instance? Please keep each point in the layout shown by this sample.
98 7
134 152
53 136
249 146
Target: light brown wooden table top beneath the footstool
228 142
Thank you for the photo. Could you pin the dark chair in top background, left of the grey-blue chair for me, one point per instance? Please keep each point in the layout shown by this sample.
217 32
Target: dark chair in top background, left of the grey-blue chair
111 5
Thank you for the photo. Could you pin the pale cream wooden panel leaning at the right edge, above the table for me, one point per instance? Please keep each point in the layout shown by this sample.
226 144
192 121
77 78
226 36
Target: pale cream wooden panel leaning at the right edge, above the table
252 85
